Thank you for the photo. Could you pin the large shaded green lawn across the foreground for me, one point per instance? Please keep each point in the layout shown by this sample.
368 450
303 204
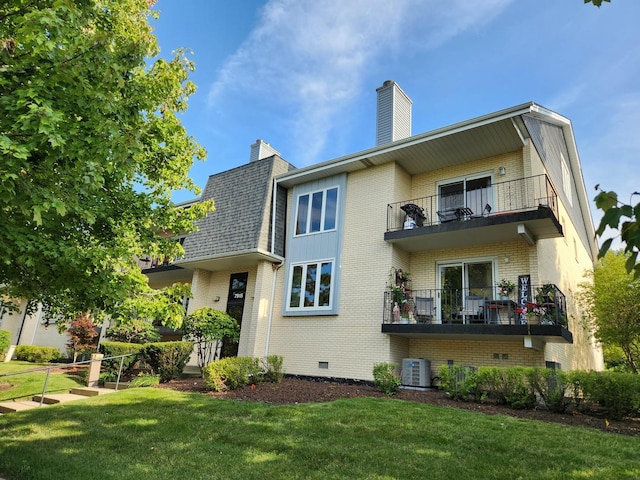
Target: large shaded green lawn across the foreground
162 434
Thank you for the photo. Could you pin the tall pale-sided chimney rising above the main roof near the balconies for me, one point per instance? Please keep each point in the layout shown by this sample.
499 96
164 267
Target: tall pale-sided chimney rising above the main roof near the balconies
393 120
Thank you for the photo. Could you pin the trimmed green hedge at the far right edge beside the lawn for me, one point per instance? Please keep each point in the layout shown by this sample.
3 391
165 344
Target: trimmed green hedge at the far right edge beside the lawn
611 394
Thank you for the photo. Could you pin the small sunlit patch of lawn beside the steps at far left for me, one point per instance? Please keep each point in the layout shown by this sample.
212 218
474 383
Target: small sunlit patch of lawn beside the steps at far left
27 385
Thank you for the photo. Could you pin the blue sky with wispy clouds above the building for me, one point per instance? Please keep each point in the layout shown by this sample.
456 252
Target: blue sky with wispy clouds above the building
302 74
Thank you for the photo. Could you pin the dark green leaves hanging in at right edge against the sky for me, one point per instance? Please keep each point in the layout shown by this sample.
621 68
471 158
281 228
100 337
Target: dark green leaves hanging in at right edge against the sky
614 213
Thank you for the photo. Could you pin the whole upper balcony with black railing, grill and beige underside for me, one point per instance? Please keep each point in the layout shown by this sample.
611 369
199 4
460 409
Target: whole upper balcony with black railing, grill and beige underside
525 208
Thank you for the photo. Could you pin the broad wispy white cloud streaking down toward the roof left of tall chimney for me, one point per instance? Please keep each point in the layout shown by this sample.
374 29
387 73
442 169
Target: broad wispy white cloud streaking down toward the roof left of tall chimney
313 57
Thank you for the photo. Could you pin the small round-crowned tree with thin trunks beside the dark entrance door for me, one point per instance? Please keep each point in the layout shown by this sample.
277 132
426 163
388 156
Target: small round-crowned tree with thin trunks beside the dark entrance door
206 327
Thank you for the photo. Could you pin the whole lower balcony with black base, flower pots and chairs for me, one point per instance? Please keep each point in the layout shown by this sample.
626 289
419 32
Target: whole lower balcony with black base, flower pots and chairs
477 313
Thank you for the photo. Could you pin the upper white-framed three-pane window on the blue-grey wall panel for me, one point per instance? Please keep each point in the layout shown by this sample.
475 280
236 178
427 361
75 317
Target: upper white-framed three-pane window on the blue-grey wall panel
317 211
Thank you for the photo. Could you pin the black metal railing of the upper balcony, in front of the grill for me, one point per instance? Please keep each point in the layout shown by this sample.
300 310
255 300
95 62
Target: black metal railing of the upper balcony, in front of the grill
523 194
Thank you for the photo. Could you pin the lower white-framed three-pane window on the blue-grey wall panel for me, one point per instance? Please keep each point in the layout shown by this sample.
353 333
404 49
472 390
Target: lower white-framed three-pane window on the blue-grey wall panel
310 285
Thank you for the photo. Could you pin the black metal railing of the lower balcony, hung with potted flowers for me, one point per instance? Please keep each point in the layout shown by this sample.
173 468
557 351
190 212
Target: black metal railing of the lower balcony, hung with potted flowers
475 305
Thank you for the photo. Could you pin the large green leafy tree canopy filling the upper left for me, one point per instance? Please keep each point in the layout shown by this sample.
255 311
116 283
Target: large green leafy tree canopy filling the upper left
91 148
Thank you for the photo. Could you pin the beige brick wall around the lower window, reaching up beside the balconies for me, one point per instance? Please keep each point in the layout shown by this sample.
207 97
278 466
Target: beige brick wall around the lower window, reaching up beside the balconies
350 342
